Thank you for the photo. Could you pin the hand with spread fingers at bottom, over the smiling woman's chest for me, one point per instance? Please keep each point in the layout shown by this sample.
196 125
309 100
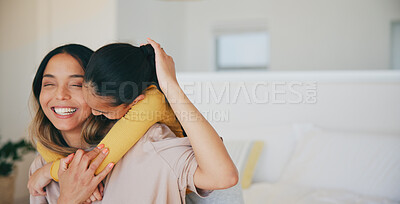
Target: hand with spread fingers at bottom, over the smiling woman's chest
77 181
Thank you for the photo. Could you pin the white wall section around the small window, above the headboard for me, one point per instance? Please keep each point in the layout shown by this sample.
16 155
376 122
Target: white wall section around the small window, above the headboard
308 34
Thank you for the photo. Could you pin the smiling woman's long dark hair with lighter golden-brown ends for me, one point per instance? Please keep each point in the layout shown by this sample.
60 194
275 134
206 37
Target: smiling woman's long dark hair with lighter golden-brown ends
41 128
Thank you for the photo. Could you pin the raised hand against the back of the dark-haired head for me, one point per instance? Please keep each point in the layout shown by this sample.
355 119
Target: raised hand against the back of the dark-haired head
165 67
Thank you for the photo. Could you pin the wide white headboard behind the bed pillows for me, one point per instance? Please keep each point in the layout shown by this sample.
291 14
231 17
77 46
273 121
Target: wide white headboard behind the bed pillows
238 102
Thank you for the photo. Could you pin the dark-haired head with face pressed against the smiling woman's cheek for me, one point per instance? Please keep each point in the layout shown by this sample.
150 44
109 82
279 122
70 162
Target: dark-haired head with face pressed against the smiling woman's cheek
116 76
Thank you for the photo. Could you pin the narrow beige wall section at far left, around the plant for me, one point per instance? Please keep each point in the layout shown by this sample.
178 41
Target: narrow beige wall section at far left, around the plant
17 63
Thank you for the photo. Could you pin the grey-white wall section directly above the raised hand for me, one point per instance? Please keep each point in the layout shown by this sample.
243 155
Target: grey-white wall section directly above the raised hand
162 21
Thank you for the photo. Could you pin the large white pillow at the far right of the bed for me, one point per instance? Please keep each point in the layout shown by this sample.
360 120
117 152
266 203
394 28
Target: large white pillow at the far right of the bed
368 164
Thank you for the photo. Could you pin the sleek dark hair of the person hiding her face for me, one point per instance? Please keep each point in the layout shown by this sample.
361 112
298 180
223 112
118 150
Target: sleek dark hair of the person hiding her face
121 71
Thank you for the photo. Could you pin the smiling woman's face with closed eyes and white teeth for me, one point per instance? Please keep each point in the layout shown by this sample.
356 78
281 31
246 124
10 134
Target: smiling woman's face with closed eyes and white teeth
61 96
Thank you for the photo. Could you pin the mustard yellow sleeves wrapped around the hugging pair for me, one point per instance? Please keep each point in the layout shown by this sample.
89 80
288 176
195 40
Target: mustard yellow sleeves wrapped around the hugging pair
128 130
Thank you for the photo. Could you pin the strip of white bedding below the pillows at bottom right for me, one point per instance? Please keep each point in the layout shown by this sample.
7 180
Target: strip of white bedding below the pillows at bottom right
284 193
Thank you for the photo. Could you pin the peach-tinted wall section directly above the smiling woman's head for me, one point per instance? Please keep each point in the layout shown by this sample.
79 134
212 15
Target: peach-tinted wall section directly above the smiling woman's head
92 23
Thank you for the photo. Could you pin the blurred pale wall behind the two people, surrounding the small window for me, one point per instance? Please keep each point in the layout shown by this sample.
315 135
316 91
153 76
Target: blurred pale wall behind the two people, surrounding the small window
304 35
